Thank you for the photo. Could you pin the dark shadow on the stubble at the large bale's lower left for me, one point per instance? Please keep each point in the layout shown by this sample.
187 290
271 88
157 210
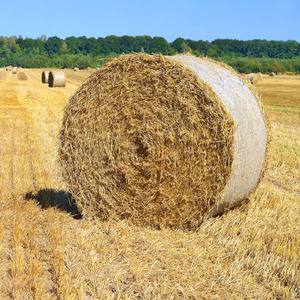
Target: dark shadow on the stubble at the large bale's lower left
62 200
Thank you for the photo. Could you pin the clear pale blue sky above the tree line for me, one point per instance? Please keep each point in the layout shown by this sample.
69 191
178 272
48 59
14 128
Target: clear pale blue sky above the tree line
189 19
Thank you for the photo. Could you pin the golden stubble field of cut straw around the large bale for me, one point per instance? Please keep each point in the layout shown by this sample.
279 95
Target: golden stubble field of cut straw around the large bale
48 252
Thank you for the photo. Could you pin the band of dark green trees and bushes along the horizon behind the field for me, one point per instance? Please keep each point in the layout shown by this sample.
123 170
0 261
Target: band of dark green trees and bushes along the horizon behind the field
245 56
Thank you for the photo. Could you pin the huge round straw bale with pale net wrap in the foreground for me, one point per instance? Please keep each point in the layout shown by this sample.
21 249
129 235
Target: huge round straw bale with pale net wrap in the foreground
163 141
